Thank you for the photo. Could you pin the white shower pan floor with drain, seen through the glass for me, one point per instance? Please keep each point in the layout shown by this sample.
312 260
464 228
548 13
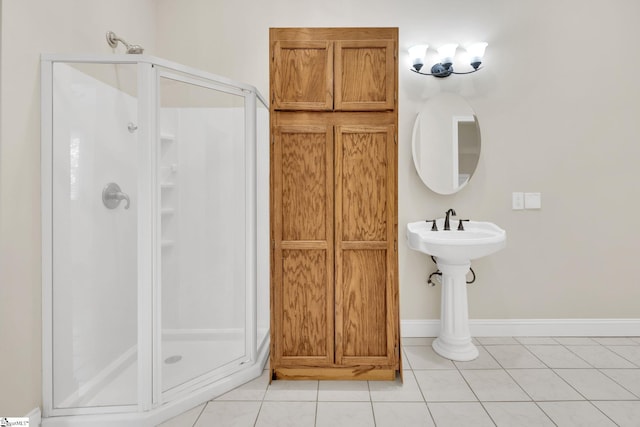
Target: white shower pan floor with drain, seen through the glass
196 357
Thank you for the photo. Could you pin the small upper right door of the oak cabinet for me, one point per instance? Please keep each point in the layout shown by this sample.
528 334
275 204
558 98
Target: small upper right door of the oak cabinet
364 74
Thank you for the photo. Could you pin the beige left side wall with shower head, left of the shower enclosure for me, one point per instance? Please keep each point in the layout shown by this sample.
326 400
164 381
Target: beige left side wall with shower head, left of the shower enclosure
29 28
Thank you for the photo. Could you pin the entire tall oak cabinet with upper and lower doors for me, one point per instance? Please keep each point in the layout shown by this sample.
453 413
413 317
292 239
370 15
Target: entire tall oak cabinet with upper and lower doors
334 286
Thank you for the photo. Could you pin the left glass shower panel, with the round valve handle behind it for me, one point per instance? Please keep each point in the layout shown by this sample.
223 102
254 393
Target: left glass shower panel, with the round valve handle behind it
95 182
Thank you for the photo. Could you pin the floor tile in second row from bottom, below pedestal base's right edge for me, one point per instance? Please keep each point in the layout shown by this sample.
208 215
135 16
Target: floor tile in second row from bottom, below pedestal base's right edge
494 385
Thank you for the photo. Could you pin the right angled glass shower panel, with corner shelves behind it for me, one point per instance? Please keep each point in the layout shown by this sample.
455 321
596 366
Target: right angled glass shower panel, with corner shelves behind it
203 255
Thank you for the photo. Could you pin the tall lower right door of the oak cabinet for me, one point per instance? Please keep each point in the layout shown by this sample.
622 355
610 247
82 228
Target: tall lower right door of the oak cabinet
365 230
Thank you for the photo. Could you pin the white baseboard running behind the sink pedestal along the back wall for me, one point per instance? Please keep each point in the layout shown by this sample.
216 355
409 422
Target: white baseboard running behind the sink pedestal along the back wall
529 327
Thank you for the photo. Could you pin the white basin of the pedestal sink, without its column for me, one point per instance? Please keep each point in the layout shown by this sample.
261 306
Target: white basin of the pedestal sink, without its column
478 239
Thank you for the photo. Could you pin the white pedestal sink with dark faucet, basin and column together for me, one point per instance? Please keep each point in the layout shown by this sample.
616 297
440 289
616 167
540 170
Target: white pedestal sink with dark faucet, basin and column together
453 250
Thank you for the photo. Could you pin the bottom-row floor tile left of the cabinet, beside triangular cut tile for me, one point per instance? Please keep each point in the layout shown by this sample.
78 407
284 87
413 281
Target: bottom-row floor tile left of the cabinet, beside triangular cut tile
229 414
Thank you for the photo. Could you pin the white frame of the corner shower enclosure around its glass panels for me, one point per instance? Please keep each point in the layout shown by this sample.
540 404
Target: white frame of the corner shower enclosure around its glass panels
151 403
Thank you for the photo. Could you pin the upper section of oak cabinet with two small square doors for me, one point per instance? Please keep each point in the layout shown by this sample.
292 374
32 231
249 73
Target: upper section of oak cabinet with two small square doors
313 69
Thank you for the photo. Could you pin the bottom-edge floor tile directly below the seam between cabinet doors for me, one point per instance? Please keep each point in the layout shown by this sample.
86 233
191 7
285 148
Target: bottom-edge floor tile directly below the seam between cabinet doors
345 414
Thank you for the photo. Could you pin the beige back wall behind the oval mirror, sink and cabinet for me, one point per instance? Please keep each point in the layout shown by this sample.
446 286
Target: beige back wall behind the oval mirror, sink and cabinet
557 105
